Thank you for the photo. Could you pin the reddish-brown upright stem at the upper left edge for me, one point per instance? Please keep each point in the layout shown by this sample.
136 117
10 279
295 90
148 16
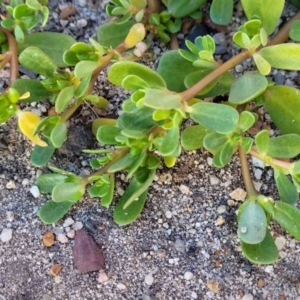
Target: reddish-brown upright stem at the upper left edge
13 51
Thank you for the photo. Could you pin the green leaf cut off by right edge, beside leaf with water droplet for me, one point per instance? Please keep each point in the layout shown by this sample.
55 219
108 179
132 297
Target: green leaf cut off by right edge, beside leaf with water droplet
288 216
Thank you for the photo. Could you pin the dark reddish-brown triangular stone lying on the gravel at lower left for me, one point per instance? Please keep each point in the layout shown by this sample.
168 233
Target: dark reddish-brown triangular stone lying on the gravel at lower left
87 255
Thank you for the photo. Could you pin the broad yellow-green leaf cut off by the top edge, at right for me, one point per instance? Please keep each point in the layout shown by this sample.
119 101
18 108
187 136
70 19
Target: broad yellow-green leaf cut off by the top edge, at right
268 20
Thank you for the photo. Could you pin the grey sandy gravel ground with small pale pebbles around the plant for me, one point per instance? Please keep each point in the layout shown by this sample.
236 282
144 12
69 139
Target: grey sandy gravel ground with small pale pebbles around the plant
180 247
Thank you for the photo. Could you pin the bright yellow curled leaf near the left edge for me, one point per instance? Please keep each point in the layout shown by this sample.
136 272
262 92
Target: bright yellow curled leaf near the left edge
27 122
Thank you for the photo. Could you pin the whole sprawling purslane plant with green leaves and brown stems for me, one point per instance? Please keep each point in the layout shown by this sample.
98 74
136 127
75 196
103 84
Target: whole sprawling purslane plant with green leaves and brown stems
149 129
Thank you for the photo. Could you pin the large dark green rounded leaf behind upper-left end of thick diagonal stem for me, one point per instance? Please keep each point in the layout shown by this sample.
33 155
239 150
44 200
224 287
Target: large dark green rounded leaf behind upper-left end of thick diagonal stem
173 69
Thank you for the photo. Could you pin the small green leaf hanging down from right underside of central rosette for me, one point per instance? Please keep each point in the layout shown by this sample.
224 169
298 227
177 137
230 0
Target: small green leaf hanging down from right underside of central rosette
167 144
